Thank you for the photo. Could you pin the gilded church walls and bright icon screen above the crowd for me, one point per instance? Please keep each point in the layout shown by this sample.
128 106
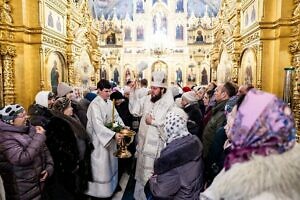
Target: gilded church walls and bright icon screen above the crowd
193 41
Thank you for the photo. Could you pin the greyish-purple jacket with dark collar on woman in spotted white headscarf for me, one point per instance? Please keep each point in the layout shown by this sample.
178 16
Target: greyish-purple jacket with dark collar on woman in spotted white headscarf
178 171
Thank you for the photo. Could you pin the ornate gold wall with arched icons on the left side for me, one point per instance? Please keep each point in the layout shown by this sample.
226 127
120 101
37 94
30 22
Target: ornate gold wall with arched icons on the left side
34 36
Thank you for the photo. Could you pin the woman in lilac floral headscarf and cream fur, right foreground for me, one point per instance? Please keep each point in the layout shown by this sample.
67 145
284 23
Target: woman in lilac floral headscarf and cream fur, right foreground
264 162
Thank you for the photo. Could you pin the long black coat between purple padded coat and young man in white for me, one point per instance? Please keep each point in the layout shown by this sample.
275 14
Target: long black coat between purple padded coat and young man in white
70 148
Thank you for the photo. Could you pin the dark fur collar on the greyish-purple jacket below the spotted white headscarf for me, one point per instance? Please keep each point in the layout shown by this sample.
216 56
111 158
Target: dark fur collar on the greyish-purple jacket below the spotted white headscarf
177 153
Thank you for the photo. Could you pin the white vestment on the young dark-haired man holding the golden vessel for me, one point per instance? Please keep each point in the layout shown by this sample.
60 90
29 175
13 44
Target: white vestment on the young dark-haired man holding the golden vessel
104 163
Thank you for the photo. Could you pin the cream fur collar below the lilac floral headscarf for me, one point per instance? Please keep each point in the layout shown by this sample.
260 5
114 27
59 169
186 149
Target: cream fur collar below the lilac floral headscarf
277 174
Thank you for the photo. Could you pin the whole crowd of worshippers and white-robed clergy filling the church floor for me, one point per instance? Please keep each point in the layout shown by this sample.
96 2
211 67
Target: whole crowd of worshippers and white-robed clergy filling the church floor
209 142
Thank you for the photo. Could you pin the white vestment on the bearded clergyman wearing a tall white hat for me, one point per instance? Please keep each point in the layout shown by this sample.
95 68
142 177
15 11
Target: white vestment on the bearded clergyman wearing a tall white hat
150 137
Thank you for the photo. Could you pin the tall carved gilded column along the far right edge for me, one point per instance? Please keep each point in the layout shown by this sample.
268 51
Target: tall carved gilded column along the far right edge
295 50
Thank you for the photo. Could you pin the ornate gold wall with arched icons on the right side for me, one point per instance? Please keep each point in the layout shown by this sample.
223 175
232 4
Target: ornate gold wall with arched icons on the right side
261 38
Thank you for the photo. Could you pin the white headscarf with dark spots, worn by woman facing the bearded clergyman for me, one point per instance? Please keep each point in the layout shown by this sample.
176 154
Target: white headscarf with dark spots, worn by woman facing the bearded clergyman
175 124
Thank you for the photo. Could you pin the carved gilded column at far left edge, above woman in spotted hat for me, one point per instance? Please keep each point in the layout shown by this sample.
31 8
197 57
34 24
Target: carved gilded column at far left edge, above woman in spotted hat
7 53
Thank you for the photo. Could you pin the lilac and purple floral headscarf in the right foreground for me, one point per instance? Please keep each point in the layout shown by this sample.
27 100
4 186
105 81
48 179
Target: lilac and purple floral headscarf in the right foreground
263 125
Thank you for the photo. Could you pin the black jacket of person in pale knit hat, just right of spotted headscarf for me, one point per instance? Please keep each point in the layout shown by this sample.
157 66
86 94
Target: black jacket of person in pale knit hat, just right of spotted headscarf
195 120
